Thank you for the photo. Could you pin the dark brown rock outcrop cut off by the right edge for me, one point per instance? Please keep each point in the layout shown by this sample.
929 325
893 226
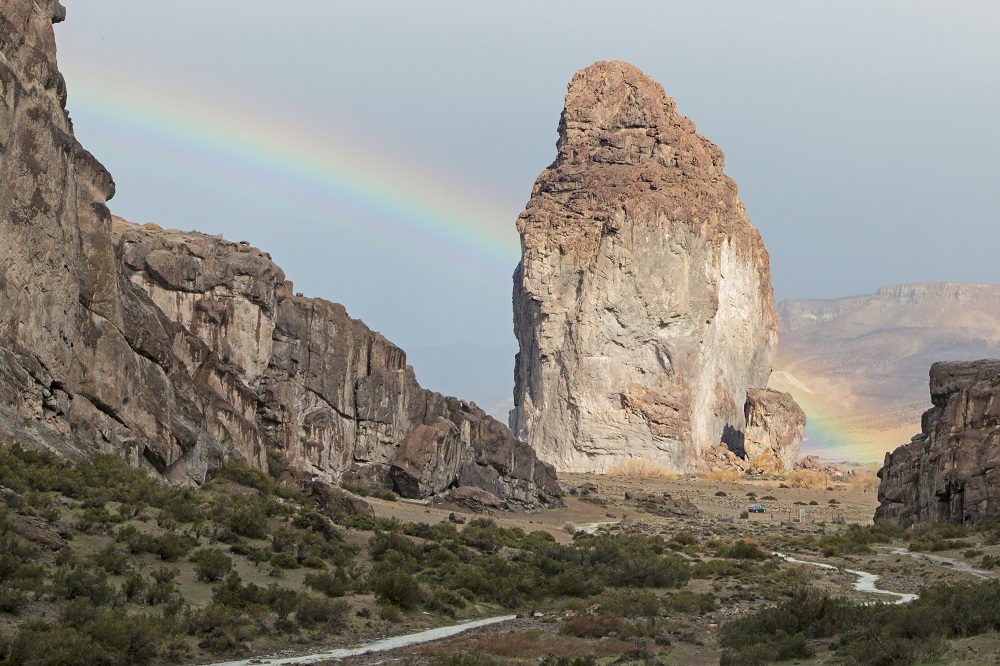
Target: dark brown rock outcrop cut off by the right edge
950 470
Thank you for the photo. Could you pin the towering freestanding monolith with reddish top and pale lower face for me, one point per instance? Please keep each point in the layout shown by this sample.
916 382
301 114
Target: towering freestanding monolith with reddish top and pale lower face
642 304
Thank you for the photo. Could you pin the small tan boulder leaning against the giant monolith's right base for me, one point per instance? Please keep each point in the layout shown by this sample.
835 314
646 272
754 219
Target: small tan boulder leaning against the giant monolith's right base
774 427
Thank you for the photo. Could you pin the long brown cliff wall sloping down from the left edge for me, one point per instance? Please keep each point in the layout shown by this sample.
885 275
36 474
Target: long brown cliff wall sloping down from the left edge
179 351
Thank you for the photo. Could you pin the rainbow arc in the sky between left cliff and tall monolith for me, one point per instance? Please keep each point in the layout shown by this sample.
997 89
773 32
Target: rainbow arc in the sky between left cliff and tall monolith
310 165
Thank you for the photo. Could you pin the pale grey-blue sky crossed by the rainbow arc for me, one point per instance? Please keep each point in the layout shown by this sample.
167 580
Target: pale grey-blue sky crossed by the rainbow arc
381 151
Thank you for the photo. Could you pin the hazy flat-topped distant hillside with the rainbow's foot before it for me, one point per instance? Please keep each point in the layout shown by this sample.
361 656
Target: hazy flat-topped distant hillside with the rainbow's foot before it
859 365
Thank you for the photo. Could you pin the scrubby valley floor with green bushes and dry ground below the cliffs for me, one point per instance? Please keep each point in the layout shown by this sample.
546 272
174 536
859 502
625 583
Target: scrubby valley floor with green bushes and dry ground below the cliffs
103 566
